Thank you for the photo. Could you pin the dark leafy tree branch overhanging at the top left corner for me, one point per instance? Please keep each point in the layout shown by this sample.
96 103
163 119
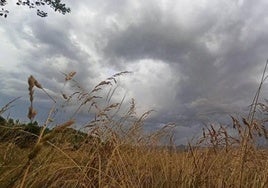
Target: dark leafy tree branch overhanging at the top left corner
56 5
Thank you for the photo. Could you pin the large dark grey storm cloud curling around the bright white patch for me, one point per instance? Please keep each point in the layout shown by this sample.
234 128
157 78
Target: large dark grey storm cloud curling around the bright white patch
218 59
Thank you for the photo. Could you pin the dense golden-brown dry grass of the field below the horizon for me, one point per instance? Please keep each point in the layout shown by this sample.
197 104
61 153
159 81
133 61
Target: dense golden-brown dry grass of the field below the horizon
100 165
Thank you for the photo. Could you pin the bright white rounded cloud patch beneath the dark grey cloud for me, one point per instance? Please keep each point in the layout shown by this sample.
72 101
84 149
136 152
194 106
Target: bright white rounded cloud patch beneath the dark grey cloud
153 84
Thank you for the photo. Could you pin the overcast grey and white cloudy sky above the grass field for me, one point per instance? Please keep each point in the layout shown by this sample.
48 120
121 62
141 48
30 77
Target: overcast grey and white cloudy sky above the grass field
193 62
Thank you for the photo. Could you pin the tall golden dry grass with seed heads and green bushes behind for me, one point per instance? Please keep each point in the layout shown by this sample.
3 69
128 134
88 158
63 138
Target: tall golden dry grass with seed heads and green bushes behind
113 151
